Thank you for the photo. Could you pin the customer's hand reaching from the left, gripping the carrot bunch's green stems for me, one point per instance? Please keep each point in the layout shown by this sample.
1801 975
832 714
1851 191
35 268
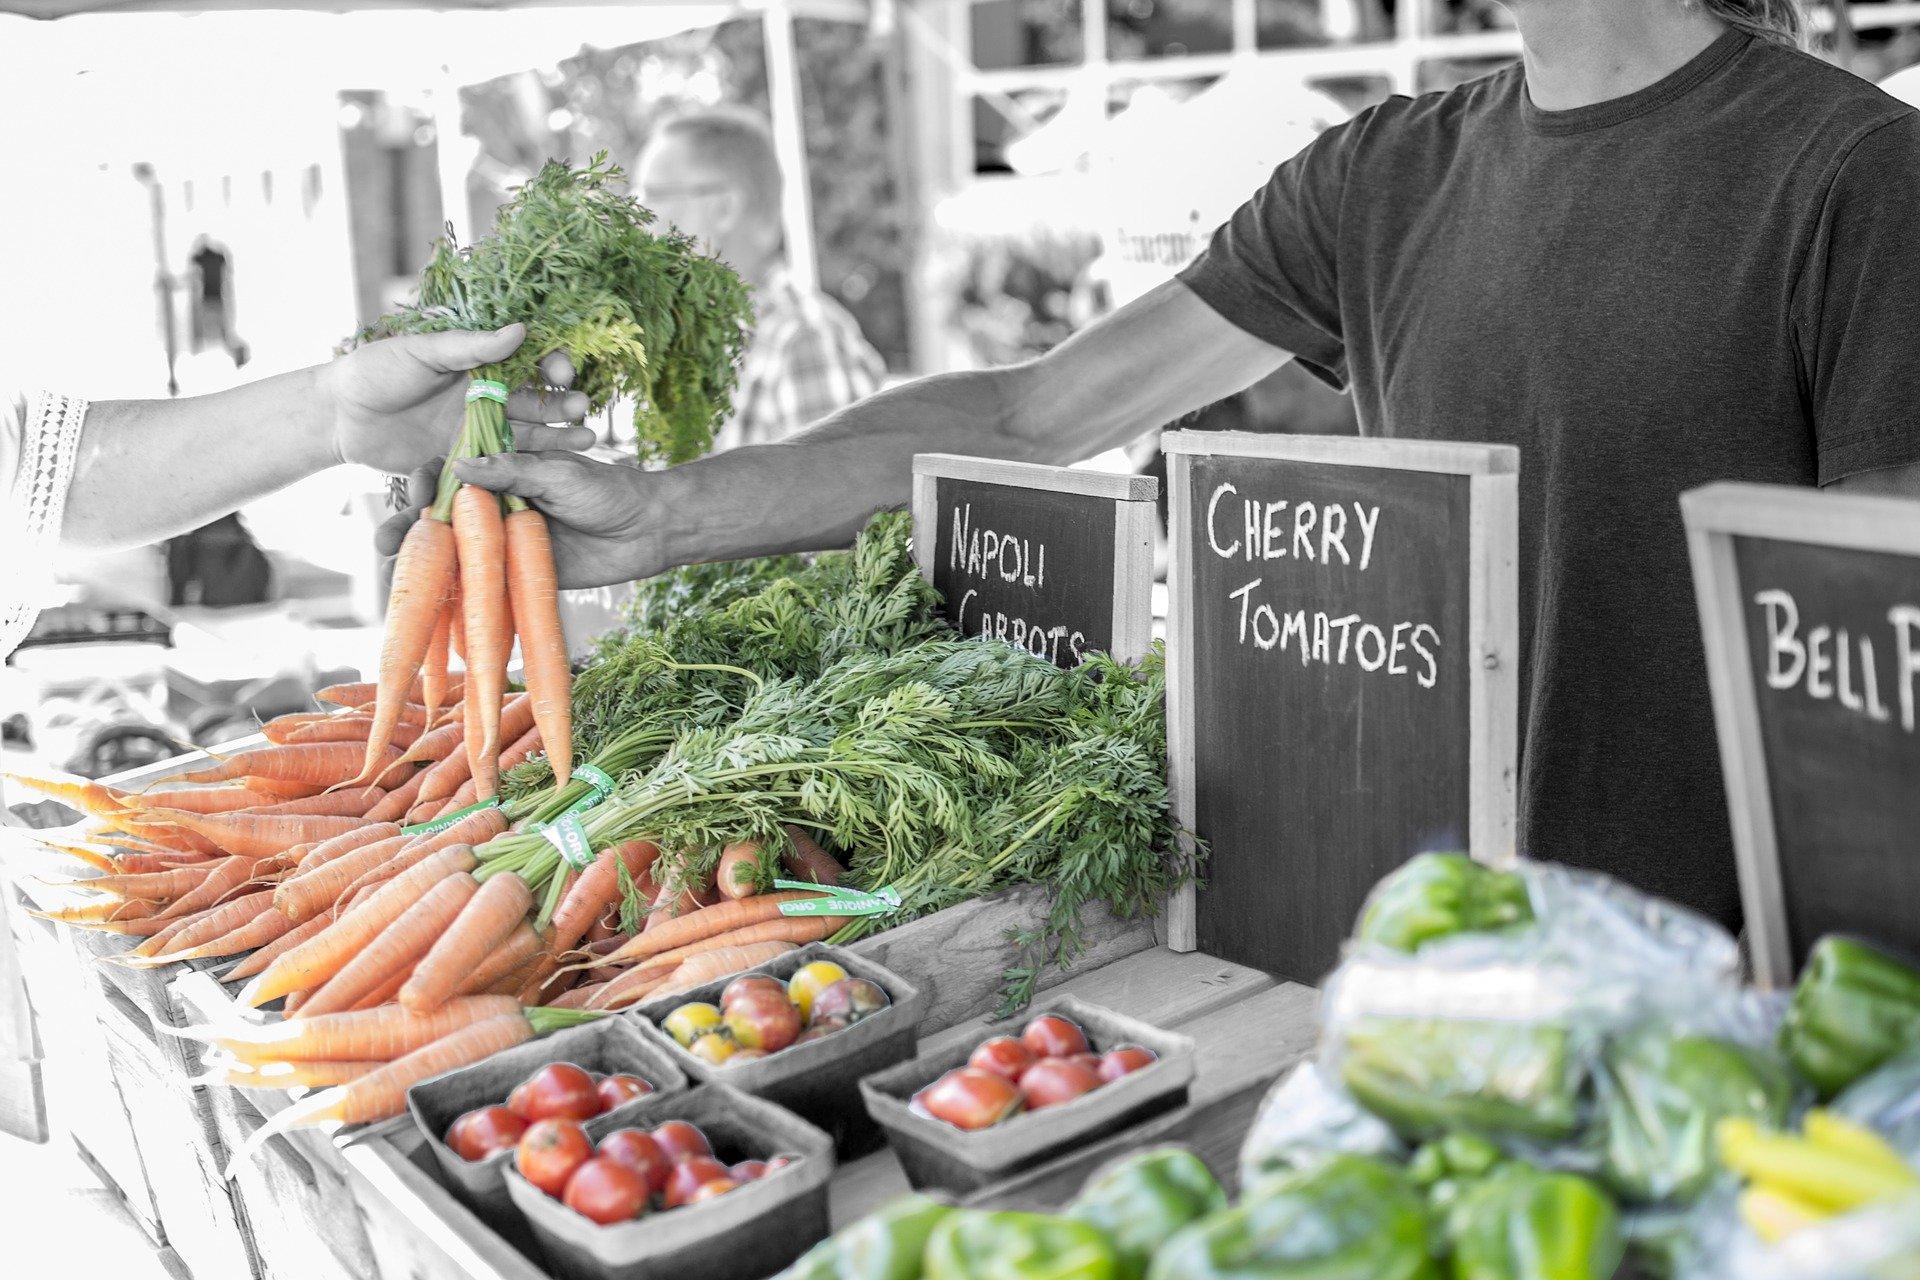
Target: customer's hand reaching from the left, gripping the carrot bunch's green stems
398 402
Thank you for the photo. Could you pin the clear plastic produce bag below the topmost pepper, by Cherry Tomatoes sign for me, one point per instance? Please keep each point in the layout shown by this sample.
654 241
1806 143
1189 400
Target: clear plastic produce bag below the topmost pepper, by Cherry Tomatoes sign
1499 1031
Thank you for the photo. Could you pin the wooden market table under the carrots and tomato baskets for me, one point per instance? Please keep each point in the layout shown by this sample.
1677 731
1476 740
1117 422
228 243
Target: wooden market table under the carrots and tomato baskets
356 1204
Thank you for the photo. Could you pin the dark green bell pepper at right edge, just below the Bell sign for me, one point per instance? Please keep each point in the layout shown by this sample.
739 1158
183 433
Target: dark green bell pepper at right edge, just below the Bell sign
1856 1008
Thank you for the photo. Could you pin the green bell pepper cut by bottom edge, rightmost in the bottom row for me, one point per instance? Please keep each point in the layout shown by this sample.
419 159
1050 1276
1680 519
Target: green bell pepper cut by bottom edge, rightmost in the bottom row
1524 1223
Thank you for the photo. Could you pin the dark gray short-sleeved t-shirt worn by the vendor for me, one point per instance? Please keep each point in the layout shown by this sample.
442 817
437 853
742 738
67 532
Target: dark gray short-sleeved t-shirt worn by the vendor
1712 279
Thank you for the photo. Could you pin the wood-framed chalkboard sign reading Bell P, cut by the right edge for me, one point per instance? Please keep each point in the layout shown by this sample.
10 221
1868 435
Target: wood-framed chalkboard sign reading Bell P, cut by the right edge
1810 605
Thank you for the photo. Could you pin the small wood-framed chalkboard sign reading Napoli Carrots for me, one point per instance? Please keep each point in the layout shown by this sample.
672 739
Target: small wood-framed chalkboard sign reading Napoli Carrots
1051 559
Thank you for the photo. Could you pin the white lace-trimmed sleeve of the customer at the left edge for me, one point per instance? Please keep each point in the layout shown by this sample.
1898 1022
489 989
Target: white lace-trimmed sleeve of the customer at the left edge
41 440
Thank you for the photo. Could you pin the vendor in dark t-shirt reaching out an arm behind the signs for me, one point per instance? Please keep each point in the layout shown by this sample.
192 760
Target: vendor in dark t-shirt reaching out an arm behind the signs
1668 249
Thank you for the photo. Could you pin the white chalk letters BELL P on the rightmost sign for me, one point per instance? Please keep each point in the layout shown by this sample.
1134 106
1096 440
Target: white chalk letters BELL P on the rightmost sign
1835 665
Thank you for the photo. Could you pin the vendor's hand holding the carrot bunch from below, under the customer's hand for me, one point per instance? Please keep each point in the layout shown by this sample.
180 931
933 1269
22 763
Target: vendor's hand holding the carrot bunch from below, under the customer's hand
596 511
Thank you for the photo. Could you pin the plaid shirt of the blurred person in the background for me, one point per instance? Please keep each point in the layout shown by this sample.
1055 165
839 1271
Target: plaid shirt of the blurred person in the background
807 358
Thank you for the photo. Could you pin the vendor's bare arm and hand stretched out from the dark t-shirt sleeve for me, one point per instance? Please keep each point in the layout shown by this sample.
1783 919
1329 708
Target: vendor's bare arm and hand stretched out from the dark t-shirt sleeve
1149 364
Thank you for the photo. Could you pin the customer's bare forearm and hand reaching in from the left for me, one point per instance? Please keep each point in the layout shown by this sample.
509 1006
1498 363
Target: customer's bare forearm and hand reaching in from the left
155 469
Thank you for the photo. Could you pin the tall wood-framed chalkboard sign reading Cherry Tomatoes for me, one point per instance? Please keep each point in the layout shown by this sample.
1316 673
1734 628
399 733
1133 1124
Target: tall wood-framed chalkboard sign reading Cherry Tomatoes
1341 676
